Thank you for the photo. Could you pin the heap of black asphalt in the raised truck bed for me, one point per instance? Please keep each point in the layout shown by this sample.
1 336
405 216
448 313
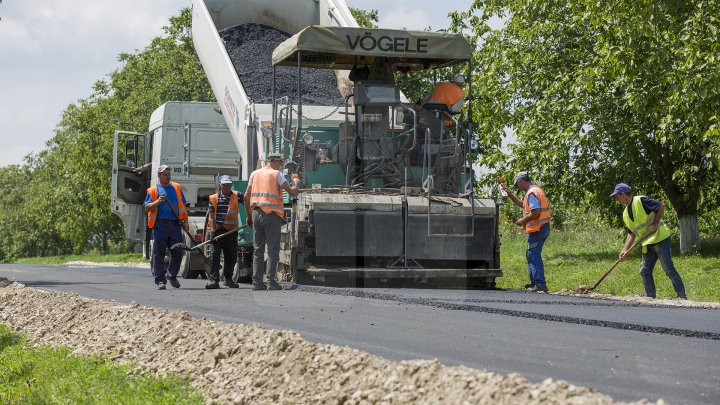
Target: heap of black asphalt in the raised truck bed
250 47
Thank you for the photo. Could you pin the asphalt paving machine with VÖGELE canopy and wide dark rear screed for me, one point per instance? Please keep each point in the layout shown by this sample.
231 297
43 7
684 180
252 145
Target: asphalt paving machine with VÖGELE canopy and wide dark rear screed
389 193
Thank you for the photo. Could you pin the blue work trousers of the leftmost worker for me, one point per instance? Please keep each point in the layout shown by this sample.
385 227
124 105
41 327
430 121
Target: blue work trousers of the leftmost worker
166 234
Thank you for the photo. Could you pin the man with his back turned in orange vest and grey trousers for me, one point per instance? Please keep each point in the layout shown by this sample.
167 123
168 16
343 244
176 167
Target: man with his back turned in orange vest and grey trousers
266 213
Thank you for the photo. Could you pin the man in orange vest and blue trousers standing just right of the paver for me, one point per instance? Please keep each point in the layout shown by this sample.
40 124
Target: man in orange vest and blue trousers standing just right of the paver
536 223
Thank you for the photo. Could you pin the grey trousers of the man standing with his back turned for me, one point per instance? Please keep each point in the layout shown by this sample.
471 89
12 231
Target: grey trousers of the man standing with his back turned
266 229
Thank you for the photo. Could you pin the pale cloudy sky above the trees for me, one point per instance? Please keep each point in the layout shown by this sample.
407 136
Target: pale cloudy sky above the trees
52 51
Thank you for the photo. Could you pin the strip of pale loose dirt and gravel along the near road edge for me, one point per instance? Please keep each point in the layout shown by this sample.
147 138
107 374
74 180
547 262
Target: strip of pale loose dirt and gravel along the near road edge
248 364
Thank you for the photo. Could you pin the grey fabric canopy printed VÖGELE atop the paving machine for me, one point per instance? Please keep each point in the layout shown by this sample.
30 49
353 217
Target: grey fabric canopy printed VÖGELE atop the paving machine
345 47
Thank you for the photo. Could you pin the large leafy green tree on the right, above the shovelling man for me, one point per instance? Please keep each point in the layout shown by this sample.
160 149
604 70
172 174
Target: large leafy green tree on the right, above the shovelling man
599 93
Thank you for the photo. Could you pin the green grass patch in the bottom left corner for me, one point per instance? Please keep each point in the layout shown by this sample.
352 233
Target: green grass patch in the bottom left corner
44 375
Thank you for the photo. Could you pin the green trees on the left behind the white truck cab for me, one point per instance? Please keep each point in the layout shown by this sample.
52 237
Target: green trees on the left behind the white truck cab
58 201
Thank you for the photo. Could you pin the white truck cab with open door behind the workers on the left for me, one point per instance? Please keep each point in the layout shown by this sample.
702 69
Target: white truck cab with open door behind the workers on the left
193 139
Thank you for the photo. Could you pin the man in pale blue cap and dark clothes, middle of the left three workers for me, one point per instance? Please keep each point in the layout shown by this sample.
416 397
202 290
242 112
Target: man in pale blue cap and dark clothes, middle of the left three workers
223 218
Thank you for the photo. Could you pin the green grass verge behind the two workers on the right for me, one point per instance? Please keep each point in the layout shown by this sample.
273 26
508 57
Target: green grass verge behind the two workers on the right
579 257
